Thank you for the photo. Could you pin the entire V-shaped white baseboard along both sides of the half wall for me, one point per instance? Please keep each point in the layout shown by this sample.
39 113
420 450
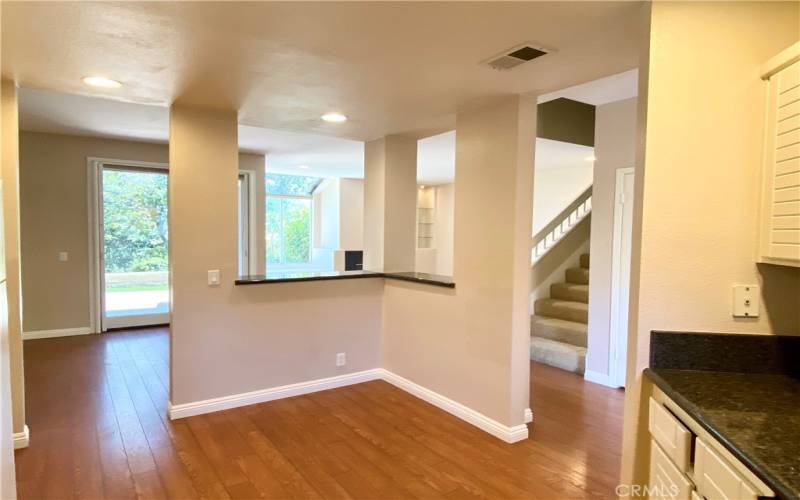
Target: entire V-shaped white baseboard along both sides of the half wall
493 427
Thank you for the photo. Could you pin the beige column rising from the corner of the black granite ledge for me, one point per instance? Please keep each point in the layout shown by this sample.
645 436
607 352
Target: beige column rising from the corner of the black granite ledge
390 203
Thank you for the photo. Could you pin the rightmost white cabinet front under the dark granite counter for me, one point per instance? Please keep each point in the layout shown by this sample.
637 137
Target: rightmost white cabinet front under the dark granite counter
716 479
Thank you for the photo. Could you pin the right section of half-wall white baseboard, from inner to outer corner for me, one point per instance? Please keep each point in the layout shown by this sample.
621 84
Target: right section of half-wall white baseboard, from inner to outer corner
479 420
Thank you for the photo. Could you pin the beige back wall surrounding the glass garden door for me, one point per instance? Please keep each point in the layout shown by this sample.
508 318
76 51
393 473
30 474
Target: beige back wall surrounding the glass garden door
54 210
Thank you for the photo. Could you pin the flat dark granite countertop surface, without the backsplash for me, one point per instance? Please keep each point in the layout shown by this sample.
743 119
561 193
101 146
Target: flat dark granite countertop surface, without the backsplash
756 416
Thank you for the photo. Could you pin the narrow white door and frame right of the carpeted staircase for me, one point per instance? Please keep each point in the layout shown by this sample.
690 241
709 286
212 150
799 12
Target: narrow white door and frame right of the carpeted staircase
619 312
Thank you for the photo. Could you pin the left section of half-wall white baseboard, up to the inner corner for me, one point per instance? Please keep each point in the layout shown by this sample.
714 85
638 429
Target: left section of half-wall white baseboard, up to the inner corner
271 394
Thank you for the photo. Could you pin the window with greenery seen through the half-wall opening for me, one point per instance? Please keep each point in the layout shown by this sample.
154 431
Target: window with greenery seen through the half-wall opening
288 219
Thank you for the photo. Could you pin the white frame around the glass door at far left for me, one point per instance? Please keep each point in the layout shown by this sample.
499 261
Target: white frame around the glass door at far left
94 169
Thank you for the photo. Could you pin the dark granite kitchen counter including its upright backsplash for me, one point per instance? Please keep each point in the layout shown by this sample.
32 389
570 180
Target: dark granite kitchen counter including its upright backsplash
744 390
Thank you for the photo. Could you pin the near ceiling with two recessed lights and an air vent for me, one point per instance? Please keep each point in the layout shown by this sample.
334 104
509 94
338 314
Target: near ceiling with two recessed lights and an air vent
392 67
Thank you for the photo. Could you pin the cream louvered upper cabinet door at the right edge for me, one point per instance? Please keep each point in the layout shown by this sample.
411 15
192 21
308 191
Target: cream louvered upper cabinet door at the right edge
780 207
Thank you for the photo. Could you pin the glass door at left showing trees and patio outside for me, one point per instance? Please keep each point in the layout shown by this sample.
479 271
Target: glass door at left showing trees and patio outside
134 247
